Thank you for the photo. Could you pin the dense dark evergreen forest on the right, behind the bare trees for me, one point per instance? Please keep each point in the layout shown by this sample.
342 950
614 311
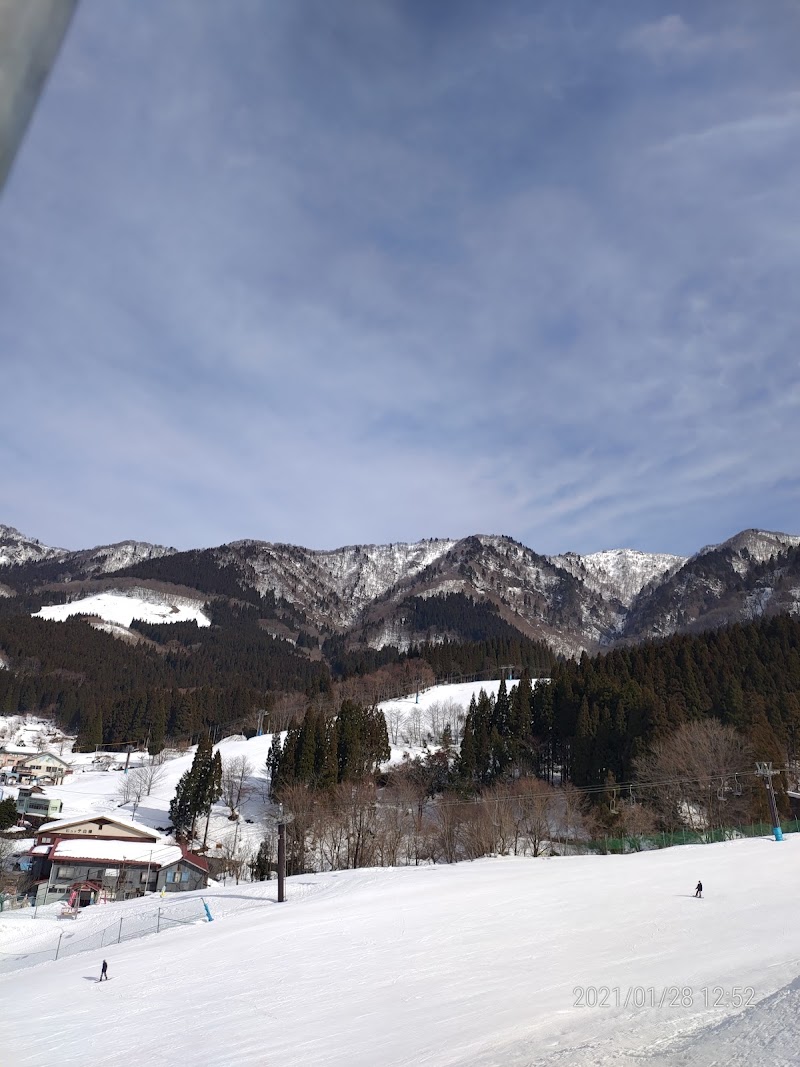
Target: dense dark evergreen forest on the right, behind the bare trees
598 716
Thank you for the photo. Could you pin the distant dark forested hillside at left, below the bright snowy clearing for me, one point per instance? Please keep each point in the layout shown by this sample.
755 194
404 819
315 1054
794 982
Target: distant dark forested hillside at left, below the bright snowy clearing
177 680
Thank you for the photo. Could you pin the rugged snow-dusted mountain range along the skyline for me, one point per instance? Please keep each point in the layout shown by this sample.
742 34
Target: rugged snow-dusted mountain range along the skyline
376 596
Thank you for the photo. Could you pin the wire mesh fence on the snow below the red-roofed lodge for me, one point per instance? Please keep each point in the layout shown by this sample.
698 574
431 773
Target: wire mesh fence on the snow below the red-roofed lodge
69 943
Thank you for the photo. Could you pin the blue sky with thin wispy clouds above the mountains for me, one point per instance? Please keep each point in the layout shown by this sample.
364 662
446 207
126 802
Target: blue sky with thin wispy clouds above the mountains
348 273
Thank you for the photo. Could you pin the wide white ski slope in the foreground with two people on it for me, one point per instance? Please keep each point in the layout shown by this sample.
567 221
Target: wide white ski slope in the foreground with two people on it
476 964
